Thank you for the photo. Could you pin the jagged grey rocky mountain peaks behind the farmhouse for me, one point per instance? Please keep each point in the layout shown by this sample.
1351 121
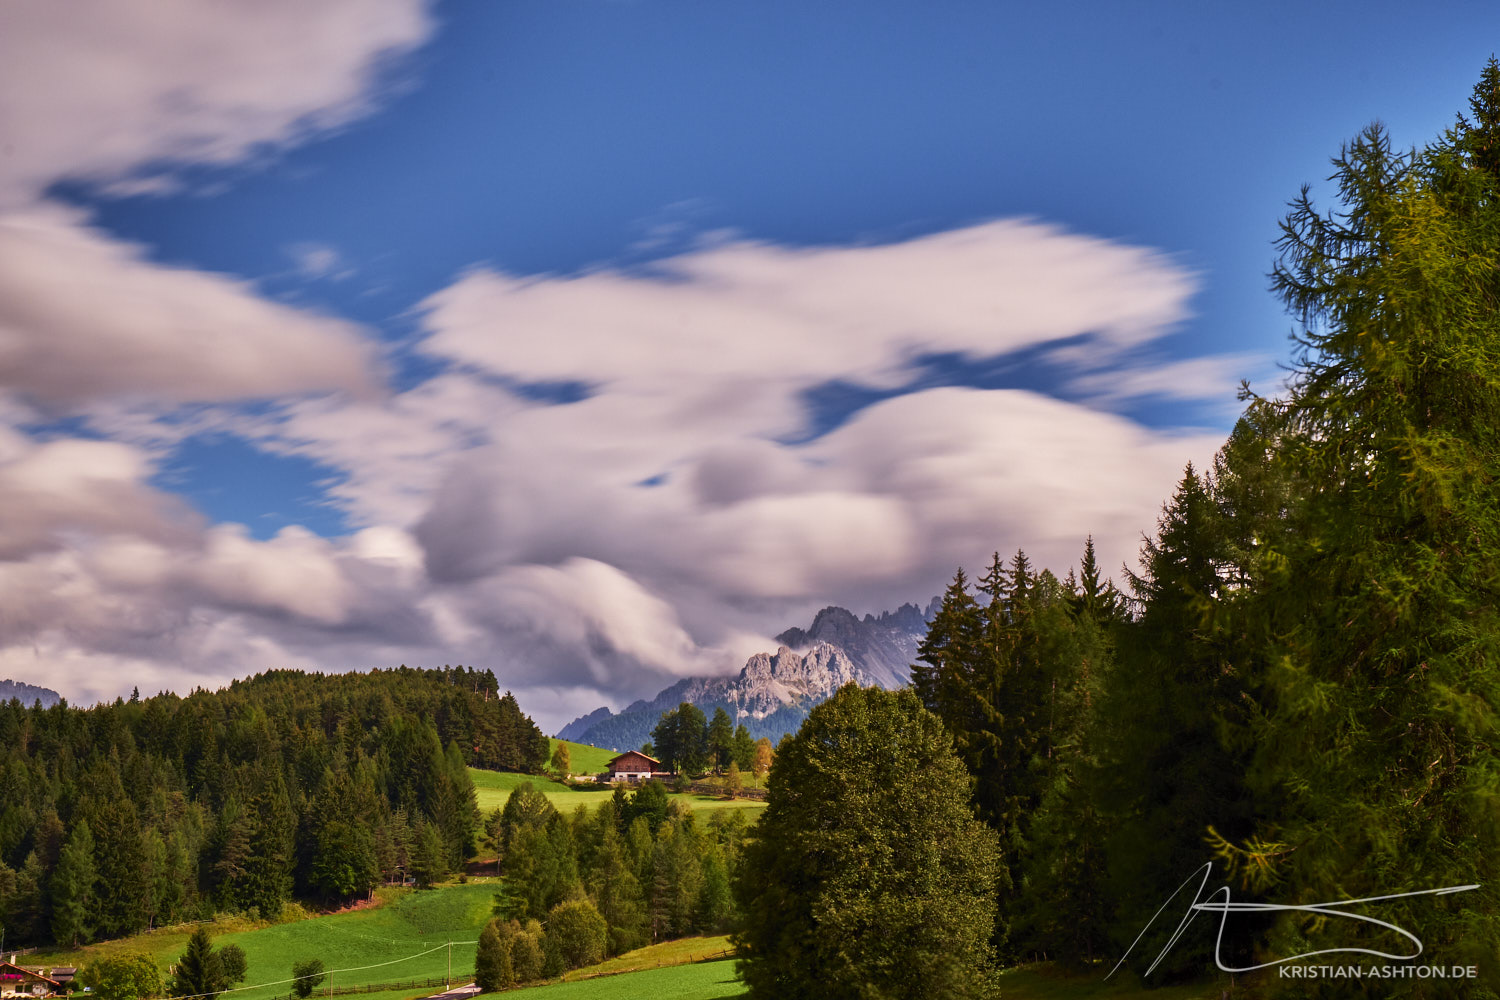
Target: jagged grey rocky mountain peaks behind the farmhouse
775 692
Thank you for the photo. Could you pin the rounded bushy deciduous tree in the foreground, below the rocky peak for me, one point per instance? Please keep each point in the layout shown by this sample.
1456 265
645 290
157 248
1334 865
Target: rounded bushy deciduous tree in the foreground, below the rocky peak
869 875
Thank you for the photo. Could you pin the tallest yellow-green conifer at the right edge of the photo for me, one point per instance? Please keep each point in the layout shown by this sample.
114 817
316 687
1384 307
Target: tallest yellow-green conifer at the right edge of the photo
1378 605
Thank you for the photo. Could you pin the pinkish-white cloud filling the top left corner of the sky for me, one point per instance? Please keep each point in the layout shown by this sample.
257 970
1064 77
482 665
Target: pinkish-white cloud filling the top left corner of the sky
113 91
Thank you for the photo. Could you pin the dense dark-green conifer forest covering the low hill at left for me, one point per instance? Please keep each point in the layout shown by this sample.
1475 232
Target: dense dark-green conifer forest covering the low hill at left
284 786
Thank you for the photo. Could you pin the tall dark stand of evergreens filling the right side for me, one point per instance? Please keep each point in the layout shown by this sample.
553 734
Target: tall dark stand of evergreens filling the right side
1301 684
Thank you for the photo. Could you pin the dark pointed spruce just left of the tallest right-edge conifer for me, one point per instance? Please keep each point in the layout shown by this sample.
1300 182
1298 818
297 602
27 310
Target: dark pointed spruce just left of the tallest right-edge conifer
1177 762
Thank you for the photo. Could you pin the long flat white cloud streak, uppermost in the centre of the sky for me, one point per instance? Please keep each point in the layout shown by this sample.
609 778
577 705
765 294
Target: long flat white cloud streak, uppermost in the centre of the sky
748 311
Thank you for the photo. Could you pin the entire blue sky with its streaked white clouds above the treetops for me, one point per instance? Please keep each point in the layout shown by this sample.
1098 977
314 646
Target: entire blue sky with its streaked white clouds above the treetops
595 335
